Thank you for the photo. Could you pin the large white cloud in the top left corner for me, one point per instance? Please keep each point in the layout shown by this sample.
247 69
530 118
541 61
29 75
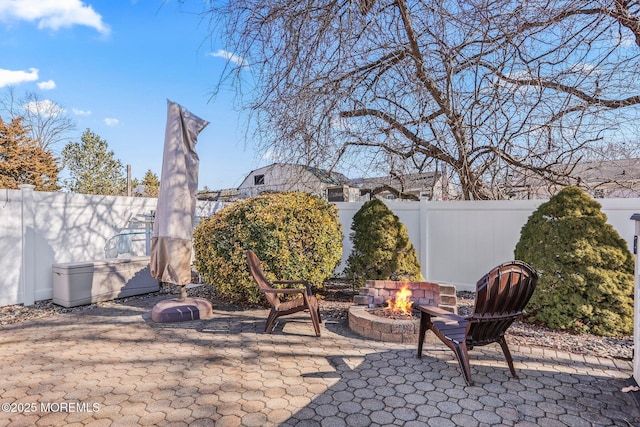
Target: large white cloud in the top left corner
52 14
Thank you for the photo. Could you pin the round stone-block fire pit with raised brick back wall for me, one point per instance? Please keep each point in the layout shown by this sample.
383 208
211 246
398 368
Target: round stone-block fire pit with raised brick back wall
403 329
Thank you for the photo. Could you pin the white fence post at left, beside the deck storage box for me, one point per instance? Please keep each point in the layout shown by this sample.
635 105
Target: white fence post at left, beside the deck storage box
28 281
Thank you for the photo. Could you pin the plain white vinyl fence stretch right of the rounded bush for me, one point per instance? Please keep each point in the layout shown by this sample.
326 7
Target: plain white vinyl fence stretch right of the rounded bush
459 241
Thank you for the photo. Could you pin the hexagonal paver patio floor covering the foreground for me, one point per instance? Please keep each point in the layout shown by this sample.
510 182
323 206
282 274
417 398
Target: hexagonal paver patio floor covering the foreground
114 366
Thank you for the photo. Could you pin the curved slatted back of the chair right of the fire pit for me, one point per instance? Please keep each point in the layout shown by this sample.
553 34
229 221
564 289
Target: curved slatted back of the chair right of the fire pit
501 296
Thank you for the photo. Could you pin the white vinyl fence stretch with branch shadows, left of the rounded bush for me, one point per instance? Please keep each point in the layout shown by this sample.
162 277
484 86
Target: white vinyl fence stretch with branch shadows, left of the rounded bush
39 229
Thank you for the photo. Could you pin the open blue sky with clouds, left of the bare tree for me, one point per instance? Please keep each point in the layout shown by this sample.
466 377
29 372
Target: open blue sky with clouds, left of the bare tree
112 64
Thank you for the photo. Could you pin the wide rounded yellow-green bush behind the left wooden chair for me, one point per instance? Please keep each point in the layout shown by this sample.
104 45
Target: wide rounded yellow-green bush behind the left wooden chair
296 236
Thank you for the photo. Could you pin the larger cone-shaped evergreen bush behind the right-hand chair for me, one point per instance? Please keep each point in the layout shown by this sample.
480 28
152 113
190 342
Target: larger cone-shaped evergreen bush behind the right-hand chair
586 281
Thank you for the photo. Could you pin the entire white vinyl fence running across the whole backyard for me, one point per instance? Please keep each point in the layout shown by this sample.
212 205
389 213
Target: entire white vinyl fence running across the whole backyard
457 242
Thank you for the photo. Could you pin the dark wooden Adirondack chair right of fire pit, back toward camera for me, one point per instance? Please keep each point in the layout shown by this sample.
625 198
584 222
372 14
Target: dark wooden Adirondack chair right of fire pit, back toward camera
501 296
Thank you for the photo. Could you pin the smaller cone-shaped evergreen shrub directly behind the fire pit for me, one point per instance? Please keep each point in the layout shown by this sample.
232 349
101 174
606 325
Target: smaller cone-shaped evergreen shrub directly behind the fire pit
381 247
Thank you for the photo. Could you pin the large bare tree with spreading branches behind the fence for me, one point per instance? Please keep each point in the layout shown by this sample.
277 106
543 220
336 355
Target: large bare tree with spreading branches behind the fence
490 92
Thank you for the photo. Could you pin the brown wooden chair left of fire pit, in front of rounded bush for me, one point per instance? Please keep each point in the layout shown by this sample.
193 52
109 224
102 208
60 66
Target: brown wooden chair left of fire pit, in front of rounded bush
305 301
